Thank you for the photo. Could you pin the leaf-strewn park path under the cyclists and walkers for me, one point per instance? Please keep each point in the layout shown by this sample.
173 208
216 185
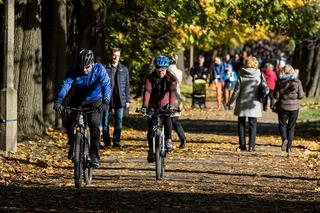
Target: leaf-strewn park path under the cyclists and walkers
209 175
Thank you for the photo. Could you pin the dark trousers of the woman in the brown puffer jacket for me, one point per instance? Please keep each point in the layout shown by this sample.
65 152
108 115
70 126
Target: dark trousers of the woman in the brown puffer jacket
287 123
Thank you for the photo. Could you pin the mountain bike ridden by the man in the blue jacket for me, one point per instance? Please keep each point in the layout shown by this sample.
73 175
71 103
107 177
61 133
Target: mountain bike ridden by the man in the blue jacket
83 169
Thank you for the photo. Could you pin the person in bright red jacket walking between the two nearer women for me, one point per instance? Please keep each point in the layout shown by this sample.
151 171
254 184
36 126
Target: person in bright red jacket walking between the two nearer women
271 79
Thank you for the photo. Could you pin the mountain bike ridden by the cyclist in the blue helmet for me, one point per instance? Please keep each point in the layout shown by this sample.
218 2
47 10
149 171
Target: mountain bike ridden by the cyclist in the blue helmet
158 139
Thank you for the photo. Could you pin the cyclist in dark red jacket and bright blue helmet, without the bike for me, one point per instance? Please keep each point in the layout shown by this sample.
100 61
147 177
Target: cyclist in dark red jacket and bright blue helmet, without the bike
160 92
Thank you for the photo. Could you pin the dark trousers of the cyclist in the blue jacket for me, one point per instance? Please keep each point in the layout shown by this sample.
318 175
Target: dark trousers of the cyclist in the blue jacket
93 120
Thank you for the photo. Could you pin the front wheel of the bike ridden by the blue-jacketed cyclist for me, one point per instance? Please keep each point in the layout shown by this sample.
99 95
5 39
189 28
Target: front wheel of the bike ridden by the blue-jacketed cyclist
77 164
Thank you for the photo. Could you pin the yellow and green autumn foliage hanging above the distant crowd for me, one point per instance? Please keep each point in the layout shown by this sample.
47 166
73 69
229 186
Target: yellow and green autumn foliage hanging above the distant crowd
165 26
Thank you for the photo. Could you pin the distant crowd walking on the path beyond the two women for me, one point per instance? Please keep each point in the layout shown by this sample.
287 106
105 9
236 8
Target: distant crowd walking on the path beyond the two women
223 71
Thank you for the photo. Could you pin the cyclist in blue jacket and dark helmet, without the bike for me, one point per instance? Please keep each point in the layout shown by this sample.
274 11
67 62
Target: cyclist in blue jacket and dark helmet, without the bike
91 88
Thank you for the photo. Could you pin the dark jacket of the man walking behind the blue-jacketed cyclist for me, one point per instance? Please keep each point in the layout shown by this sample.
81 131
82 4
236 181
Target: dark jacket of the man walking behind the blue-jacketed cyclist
121 83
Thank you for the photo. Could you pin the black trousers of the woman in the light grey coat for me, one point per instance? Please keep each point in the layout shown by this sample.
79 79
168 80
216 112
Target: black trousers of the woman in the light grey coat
242 131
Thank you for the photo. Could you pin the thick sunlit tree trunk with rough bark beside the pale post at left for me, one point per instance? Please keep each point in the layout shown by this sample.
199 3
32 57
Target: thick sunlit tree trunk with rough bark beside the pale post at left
29 67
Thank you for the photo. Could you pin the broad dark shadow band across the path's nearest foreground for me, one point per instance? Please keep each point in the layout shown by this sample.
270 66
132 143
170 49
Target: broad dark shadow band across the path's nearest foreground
97 200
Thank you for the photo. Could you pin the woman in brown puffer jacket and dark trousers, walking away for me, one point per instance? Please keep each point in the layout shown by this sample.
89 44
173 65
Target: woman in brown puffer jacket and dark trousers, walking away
288 91
